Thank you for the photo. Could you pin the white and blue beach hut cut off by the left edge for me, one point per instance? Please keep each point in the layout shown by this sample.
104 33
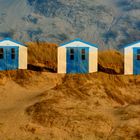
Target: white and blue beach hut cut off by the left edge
13 55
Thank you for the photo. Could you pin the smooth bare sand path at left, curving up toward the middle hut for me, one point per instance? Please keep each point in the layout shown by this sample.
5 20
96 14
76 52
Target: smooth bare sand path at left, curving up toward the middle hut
14 99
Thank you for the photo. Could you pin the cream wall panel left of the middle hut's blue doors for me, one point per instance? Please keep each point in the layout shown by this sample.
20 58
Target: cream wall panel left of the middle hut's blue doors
61 60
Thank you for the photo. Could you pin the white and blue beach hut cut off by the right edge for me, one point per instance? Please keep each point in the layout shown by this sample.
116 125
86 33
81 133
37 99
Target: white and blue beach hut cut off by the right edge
132 58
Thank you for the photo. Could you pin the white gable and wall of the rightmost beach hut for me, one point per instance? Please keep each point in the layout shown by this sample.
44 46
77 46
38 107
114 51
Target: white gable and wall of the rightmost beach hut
128 58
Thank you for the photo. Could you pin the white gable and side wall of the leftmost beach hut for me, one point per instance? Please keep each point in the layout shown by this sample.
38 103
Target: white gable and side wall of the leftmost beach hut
22 61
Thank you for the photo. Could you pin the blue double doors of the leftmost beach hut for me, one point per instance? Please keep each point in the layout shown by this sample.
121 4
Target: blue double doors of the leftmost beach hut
8 58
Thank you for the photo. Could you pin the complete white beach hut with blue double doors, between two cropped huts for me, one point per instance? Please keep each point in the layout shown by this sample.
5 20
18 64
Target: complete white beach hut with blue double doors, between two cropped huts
77 56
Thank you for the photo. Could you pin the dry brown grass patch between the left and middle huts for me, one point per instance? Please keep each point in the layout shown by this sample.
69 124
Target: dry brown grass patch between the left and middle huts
42 54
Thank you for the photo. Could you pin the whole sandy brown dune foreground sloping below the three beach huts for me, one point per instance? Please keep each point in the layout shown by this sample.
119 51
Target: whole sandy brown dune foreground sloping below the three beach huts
55 107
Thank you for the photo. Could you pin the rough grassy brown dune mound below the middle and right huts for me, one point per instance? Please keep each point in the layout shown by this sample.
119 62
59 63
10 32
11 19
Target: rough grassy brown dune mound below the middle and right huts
91 106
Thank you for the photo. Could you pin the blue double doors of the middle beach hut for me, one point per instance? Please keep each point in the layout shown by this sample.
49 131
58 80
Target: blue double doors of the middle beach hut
77 60
